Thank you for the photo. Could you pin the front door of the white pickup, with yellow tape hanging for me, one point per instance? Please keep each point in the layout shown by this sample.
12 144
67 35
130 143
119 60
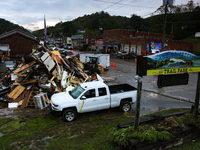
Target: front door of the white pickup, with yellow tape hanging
89 102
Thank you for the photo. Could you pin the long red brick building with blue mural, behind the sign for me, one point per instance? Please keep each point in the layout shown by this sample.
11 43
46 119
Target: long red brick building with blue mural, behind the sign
141 43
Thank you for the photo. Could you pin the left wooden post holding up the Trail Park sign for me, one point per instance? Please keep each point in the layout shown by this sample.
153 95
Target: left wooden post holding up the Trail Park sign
139 93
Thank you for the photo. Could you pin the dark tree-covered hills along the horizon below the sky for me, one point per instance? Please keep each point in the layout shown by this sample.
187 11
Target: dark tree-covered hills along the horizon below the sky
182 22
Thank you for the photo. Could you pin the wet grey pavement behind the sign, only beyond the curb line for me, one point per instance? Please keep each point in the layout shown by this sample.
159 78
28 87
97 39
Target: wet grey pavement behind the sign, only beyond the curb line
125 72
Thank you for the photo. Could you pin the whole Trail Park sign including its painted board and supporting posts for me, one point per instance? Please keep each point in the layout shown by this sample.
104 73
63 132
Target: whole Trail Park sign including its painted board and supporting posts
168 63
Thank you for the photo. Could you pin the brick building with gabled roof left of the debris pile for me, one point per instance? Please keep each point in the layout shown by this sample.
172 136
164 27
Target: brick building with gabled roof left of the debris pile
19 42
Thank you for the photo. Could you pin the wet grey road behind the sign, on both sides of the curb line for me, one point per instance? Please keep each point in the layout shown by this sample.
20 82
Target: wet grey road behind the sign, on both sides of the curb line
153 99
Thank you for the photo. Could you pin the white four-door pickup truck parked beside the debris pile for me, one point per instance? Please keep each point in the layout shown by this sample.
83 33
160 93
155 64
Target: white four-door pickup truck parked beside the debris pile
93 96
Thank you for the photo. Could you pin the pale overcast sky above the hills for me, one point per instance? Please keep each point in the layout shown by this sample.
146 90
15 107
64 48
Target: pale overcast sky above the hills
30 13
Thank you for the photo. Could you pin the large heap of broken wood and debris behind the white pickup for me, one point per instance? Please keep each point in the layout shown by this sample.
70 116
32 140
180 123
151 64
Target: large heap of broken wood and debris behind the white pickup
43 73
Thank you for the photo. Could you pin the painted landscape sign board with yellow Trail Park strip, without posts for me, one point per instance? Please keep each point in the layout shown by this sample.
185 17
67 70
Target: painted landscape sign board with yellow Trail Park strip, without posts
169 62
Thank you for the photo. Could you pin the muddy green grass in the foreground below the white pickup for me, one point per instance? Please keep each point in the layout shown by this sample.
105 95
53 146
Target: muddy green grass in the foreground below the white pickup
89 132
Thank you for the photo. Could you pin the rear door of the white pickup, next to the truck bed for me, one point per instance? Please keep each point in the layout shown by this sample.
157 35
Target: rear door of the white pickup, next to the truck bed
103 100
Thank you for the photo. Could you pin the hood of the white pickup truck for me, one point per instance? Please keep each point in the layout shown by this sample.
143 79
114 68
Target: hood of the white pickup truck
62 97
